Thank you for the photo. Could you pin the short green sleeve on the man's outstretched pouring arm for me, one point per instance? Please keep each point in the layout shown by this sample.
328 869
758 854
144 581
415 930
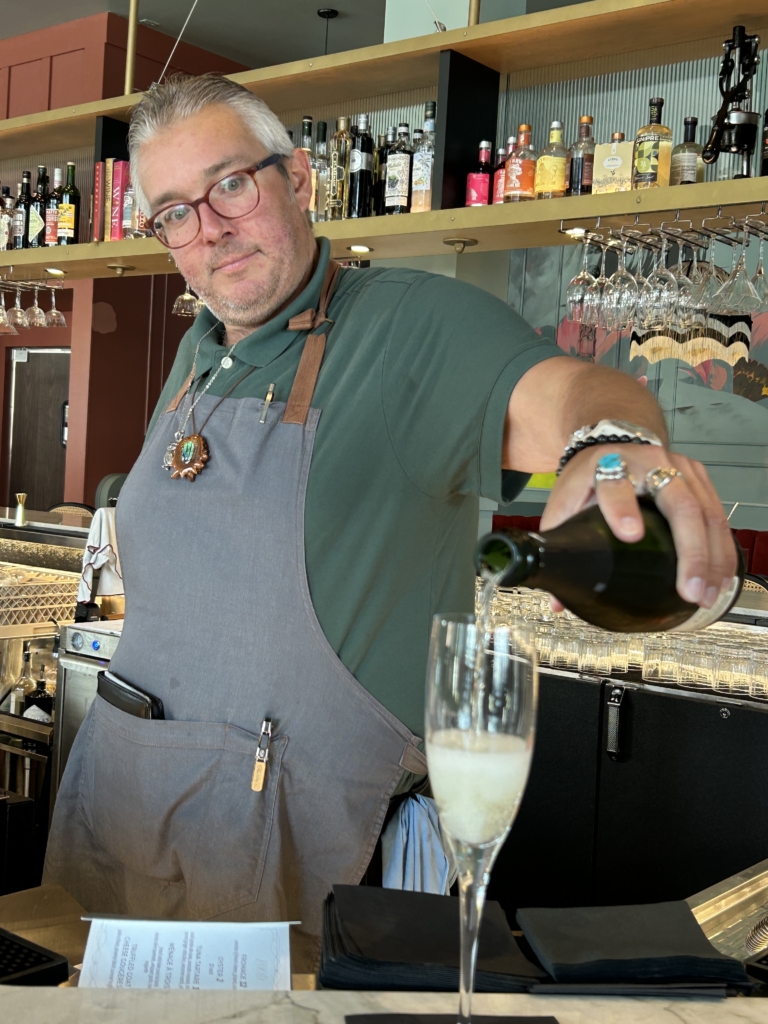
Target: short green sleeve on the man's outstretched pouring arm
454 357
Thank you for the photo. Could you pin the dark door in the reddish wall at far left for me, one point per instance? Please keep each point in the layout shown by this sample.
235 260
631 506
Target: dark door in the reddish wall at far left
37 415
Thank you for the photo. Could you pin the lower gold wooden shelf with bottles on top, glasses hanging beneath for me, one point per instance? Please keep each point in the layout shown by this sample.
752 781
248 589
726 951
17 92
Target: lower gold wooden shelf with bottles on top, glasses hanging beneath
514 226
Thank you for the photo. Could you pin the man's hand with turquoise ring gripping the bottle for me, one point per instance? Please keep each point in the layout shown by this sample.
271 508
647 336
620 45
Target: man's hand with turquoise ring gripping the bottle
707 558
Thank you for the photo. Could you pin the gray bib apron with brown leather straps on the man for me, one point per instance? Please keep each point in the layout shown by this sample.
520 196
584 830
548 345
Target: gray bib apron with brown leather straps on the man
159 819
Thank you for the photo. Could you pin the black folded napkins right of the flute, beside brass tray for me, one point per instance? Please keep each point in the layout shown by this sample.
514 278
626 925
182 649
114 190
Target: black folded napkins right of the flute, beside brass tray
655 944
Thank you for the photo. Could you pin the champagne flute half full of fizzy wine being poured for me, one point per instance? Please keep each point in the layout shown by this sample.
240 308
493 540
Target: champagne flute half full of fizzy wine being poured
482 703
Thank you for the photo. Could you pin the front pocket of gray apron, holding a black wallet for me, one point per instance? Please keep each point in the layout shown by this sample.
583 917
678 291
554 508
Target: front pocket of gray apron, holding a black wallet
173 802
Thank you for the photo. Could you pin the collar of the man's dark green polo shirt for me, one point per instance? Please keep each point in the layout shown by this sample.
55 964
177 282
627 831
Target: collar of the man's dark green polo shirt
270 340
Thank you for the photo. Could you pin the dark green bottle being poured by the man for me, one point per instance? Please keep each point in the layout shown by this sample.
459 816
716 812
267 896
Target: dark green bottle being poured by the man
628 588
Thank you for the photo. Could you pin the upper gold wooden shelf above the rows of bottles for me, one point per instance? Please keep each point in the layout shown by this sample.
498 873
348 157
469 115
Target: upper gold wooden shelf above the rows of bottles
581 32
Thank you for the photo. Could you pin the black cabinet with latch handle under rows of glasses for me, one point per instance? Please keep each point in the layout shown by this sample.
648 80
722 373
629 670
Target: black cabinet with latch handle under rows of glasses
681 806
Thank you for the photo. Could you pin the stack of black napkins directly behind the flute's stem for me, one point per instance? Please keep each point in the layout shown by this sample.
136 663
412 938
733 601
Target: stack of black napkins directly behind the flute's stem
389 940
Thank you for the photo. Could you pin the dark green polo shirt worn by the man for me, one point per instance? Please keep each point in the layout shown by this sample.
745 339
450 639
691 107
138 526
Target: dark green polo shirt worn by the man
414 390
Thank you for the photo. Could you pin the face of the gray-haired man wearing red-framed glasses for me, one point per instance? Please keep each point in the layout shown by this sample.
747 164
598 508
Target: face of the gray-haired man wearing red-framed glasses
247 269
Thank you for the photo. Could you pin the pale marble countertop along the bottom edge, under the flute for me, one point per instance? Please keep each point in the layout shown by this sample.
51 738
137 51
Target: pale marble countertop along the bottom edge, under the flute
52 1006
